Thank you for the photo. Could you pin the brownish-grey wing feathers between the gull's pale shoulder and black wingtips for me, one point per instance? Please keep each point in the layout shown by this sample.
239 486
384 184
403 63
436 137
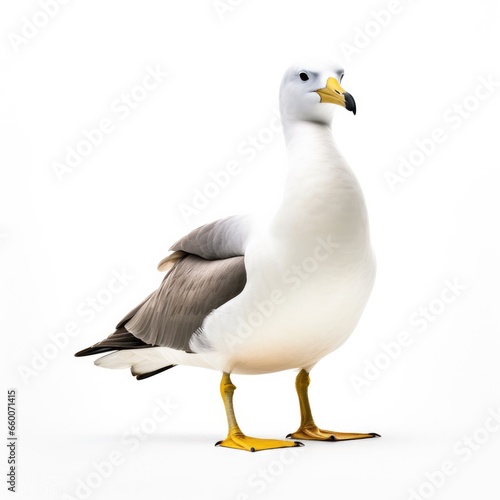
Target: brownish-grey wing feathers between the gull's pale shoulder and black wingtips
189 292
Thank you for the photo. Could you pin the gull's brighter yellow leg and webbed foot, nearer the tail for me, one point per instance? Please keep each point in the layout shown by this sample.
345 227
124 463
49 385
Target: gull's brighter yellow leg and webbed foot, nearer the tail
236 438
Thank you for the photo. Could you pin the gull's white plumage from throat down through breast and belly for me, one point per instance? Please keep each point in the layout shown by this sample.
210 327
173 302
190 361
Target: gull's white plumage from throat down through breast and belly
310 269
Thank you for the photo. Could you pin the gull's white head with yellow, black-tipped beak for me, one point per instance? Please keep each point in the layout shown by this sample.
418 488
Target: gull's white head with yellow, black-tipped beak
308 91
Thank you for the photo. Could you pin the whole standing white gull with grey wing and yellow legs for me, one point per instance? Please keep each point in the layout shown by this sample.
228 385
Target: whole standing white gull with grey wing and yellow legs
257 295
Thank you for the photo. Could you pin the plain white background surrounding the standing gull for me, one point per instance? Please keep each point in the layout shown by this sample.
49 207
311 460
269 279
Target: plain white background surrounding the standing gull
119 209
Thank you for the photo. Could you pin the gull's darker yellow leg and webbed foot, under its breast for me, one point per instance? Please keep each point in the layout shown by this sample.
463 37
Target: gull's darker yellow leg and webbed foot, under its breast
308 429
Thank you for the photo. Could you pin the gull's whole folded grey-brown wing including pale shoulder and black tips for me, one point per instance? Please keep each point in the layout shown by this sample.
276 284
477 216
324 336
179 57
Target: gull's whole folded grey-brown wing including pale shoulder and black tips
206 270
